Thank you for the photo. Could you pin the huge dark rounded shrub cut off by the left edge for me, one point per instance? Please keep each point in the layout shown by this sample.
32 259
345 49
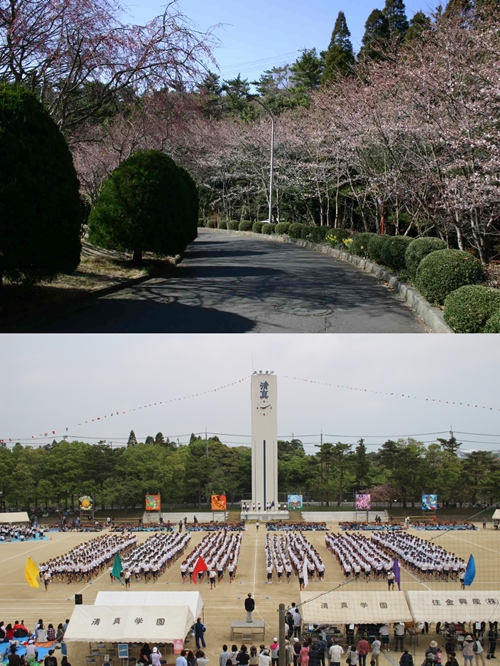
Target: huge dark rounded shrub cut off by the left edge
41 213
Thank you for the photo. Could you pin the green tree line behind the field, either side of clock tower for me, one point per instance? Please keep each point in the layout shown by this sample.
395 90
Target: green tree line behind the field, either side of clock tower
59 473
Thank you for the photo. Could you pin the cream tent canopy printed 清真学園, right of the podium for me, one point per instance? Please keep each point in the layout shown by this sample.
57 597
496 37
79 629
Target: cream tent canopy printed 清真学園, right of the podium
342 607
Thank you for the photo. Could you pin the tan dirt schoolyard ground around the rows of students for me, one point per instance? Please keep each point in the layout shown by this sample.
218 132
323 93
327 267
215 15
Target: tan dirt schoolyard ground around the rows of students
224 604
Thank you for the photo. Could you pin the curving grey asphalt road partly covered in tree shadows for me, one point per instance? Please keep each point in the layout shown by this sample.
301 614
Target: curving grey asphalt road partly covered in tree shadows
236 284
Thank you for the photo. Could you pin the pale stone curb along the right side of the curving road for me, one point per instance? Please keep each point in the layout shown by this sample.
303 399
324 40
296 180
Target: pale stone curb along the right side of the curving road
430 315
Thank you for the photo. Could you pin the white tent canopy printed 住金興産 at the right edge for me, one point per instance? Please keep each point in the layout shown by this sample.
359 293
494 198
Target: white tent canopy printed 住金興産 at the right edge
454 606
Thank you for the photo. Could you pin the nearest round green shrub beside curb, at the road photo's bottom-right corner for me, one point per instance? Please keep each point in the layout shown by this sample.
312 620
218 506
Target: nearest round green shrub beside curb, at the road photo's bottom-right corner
467 309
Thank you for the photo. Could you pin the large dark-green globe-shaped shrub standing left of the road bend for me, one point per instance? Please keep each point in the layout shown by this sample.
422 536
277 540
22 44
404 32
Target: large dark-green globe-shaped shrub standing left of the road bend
148 203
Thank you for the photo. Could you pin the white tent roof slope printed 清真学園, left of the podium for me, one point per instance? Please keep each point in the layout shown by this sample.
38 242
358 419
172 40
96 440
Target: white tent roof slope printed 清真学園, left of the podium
129 624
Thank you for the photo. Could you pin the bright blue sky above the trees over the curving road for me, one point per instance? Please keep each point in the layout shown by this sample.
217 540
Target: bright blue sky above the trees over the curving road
257 35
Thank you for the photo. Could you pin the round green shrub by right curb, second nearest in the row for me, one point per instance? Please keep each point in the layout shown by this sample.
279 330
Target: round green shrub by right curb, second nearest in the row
443 271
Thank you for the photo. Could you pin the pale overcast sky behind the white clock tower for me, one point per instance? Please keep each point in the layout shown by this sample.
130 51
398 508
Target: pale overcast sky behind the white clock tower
54 382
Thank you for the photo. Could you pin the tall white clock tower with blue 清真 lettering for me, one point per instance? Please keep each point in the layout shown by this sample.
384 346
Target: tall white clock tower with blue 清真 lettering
264 441
